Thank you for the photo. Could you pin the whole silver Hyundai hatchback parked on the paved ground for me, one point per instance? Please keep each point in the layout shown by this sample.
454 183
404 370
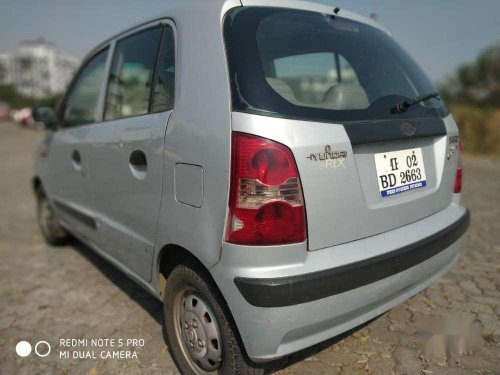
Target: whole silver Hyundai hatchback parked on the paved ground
276 172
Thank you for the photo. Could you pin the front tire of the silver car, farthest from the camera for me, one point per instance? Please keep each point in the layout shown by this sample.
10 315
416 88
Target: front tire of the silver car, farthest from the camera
52 231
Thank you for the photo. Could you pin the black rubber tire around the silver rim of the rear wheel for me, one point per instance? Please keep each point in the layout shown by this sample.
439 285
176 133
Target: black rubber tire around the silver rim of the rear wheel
195 280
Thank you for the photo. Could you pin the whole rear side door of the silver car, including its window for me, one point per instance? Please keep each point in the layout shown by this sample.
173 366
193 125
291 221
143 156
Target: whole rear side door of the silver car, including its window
127 146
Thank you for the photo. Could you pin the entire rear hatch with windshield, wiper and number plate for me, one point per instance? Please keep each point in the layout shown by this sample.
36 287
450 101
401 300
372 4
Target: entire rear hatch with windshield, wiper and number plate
331 88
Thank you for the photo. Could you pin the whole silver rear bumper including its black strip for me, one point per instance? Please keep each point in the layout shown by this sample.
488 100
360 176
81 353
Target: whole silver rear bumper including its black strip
285 298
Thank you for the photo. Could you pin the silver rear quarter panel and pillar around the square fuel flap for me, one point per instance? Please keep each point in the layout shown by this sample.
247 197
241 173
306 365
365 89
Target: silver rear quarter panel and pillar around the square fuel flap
198 133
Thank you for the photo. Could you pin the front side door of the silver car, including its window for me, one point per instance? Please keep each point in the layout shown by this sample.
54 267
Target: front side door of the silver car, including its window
68 182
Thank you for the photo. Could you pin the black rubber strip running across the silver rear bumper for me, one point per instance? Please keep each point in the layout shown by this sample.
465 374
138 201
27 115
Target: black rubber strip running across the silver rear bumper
294 290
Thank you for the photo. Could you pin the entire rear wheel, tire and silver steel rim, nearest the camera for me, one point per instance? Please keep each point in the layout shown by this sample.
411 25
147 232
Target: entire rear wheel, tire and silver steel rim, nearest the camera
198 328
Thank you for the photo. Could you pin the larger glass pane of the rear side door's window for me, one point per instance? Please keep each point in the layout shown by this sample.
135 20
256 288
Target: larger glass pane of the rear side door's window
132 74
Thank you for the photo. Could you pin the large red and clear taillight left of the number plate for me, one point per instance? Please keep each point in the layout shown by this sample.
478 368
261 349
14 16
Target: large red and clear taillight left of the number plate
266 205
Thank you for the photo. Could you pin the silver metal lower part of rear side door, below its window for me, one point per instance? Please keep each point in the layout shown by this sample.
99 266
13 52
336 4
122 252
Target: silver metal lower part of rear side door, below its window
126 199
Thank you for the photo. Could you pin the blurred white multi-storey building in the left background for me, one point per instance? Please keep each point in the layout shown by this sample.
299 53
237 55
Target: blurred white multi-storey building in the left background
40 70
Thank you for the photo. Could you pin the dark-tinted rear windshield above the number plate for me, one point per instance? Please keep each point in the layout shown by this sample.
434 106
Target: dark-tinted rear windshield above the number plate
308 65
